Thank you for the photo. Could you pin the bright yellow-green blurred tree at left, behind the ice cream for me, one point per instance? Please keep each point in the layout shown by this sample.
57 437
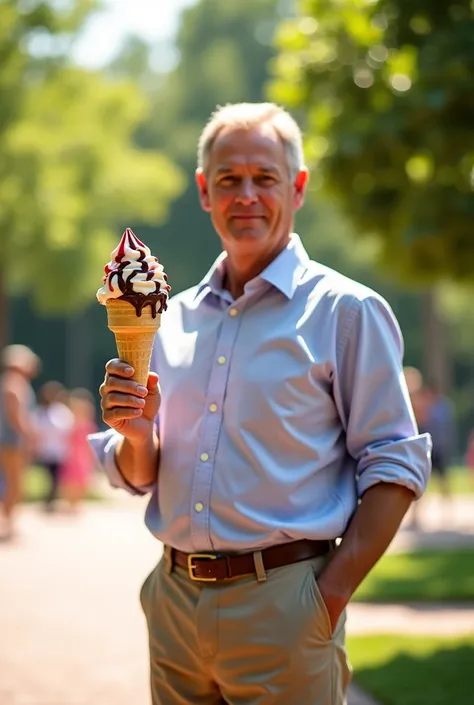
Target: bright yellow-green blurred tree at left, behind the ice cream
70 172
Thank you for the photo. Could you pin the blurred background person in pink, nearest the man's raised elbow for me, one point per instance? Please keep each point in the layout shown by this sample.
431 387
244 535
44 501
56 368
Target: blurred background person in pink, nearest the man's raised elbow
77 471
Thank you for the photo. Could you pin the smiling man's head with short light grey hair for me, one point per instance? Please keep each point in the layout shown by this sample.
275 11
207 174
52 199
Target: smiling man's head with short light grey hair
251 176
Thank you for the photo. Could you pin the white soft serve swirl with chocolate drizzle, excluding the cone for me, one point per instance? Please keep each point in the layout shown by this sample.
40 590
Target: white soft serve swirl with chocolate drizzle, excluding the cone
135 275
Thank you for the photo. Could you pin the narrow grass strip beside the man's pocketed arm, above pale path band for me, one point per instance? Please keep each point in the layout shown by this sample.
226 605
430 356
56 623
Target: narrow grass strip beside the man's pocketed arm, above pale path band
431 576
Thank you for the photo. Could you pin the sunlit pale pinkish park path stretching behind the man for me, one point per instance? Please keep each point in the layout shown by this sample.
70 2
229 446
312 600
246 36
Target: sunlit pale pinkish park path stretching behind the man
71 628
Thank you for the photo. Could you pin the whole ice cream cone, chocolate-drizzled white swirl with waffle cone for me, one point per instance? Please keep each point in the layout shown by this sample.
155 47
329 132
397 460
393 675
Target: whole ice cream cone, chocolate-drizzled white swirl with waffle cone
135 293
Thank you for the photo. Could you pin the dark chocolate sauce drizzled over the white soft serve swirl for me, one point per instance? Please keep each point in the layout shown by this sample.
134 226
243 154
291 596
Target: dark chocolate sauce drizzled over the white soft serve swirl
158 300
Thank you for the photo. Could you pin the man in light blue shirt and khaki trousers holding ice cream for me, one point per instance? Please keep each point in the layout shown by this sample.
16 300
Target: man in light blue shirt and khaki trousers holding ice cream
283 423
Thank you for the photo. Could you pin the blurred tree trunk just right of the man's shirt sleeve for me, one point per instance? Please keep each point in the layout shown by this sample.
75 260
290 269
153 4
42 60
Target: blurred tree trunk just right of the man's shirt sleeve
436 357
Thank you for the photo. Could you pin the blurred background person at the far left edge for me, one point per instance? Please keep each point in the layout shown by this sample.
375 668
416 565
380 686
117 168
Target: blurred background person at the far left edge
17 437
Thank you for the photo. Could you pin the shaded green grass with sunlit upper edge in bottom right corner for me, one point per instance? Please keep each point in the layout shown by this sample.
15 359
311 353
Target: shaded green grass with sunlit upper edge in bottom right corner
400 670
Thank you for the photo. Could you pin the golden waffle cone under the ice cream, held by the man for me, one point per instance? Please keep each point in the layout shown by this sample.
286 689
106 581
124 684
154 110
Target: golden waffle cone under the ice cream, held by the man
134 335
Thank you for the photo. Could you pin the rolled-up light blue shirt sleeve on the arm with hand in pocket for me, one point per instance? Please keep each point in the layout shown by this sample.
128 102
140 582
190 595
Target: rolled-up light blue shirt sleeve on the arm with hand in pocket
373 400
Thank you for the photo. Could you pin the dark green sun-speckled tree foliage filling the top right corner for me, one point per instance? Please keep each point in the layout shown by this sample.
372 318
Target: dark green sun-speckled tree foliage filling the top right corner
387 87
